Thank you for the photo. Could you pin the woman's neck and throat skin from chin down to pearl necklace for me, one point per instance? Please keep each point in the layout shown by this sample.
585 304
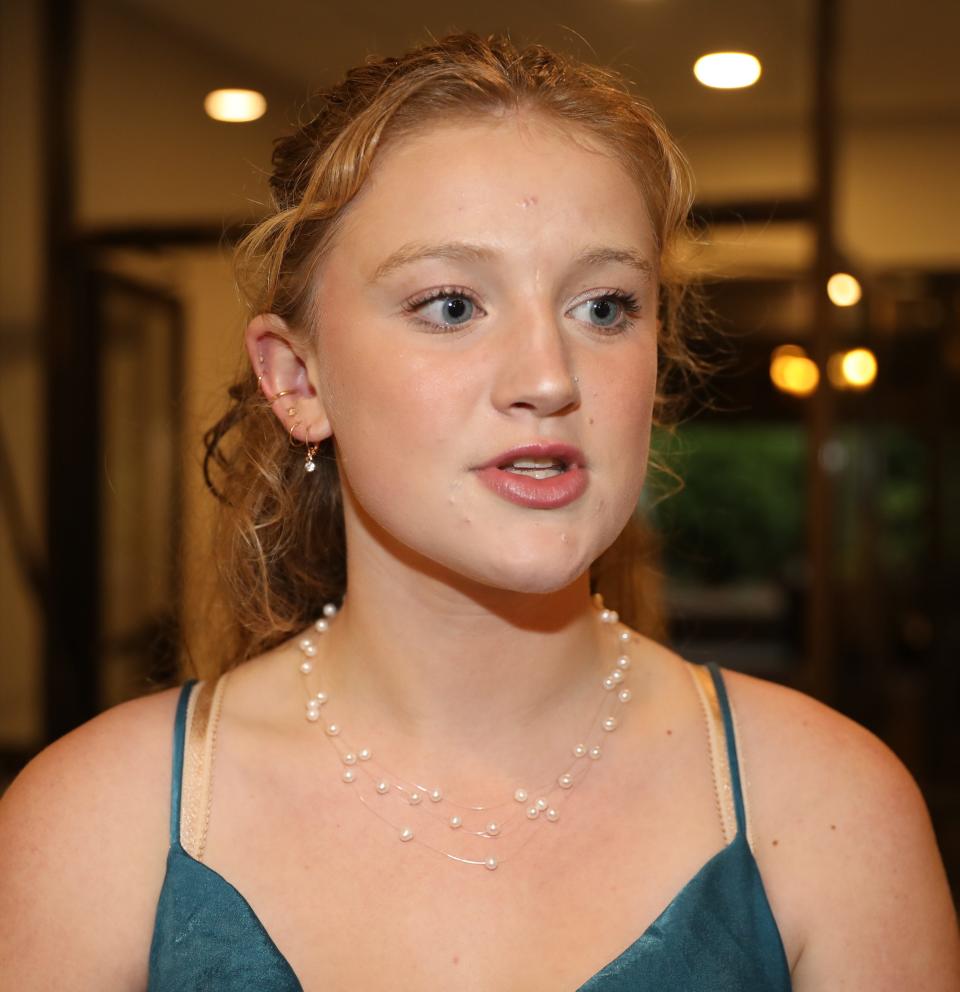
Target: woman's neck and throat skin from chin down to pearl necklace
468 686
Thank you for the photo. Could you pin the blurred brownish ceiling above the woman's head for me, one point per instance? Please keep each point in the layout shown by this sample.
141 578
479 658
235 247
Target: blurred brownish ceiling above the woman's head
895 60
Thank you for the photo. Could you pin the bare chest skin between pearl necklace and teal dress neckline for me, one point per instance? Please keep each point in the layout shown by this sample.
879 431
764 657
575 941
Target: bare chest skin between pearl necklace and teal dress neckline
350 906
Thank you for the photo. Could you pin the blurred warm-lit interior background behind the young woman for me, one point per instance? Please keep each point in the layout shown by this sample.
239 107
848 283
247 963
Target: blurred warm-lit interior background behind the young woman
816 541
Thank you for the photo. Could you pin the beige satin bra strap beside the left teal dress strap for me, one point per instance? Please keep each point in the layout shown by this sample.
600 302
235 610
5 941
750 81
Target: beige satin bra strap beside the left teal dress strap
203 716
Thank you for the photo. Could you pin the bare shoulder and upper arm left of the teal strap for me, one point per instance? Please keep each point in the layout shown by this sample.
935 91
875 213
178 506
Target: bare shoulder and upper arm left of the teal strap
83 842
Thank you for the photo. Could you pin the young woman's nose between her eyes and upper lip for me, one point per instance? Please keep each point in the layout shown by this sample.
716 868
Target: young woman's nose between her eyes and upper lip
535 369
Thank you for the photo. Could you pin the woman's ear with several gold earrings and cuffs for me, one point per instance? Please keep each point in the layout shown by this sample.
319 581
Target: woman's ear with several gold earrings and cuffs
284 379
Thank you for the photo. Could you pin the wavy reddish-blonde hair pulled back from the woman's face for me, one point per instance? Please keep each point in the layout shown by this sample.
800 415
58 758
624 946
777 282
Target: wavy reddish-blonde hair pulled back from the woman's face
280 537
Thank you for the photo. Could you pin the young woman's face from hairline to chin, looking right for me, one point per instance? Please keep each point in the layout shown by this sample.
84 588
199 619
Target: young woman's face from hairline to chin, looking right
492 287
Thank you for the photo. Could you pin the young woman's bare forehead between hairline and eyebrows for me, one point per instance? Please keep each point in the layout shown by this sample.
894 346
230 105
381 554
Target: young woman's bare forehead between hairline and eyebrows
516 180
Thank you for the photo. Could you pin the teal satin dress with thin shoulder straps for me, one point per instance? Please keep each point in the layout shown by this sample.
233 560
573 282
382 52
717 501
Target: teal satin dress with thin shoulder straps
717 934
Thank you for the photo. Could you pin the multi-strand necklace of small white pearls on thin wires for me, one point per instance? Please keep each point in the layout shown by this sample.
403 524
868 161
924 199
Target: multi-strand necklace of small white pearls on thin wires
360 759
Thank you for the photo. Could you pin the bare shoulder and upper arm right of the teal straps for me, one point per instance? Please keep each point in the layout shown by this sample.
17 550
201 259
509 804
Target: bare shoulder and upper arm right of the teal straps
845 844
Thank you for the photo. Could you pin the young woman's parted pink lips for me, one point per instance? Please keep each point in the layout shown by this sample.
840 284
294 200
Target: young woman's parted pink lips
528 491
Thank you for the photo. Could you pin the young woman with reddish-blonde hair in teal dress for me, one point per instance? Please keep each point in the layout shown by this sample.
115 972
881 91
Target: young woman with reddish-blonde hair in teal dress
431 759
